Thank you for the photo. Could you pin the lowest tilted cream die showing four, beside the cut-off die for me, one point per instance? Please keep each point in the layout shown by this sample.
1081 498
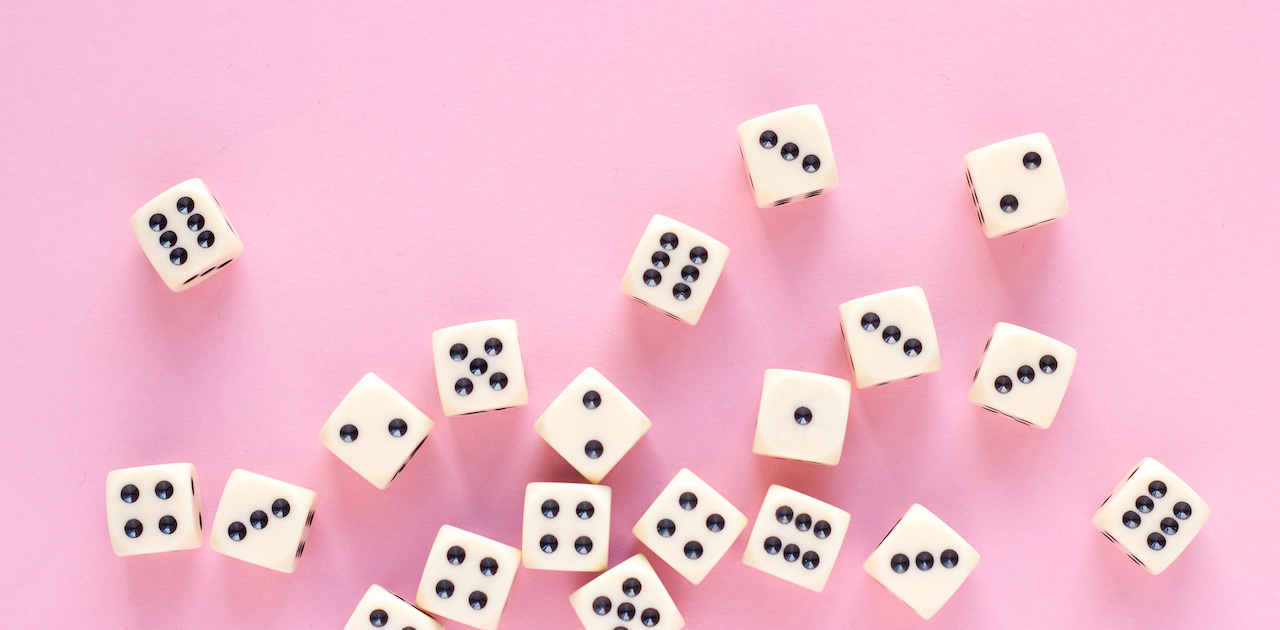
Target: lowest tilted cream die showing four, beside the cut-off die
468 578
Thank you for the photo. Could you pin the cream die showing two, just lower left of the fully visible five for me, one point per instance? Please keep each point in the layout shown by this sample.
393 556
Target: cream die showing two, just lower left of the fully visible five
376 431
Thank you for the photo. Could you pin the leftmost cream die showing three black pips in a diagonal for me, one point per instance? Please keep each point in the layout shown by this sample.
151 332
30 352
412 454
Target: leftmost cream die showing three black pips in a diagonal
263 522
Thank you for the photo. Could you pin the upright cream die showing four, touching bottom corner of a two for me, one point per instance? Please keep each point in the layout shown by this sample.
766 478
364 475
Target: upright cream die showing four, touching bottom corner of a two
566 527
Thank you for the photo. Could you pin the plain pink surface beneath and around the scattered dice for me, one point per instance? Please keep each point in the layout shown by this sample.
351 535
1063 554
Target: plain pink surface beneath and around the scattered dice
400 168
